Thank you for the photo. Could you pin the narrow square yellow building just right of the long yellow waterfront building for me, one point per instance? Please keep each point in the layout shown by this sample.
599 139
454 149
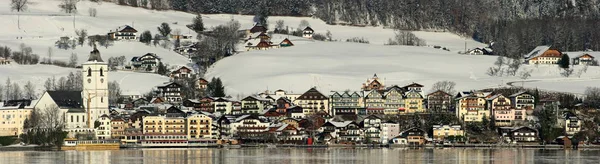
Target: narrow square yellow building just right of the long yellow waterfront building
199 126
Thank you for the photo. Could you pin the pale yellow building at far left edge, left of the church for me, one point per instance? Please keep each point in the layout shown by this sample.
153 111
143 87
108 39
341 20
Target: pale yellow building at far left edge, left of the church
12 116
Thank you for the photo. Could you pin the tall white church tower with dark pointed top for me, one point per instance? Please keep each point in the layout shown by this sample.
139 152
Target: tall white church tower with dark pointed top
95 87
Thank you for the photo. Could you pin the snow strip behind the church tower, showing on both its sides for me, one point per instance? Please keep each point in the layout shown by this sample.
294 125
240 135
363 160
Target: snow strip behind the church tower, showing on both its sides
37 74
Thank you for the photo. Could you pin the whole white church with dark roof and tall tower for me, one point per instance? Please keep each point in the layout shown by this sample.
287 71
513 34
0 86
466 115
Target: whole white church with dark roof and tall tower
80 109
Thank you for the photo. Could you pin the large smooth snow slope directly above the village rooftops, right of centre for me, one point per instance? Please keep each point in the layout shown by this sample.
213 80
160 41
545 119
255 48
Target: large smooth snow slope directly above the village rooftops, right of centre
340 66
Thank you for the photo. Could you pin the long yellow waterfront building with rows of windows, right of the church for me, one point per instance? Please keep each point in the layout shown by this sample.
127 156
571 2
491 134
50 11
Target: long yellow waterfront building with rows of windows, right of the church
162 125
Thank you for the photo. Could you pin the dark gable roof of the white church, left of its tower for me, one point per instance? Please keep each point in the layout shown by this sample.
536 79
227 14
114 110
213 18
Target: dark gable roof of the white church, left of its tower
67 99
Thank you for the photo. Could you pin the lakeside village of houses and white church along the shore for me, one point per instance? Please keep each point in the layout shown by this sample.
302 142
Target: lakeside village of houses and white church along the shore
375 113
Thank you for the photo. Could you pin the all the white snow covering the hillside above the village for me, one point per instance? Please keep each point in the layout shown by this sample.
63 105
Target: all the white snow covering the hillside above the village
329 66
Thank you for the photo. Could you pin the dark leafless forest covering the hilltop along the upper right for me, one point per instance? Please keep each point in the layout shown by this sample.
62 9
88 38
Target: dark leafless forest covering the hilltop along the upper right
515 26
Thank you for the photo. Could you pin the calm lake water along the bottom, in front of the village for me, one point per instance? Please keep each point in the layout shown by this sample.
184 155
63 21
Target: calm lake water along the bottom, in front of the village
305 155
